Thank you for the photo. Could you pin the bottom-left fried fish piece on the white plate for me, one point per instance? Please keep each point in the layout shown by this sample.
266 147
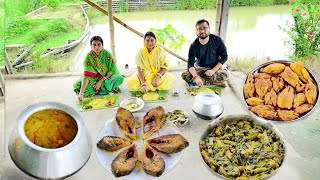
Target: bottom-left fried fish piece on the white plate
125 162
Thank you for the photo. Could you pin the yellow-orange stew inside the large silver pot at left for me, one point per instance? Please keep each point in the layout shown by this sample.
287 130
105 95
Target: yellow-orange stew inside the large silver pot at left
50 128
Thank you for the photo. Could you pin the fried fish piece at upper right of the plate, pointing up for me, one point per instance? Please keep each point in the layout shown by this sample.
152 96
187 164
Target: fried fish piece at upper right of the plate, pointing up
156 115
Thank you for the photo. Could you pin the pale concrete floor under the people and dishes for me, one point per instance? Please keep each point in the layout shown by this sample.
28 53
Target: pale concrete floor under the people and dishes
301 137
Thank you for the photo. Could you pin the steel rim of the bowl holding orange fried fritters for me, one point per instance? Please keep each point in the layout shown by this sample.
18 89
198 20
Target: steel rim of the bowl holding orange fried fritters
285 62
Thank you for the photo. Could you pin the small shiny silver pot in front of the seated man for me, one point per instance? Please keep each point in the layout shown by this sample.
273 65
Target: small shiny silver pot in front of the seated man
207 106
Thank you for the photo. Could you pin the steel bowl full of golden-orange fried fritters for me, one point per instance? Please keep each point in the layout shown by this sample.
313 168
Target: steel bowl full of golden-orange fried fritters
281 91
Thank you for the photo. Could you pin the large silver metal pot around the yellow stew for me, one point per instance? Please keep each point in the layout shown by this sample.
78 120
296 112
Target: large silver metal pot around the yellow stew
44 163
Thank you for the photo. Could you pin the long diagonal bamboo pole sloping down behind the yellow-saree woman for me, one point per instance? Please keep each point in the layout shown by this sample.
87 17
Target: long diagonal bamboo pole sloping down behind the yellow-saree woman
131 29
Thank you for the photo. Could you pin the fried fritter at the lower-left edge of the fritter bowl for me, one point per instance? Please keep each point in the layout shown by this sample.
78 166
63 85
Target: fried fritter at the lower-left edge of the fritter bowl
265 111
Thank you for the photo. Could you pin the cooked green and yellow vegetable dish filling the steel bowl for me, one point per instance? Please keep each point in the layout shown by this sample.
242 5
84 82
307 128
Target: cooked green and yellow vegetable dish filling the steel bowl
242 150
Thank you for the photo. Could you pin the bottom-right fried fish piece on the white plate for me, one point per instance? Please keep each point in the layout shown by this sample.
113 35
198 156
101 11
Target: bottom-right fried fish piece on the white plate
151 161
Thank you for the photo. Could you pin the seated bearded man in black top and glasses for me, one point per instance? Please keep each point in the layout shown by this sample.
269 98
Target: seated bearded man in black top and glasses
206 56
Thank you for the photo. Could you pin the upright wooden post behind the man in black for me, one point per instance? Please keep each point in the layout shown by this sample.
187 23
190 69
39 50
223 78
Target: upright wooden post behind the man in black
222 18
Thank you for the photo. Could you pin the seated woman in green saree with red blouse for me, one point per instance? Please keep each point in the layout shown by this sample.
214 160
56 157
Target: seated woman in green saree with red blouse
101 74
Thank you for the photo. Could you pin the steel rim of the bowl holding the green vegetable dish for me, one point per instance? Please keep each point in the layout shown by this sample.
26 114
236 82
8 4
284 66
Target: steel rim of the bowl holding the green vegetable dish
235 118
